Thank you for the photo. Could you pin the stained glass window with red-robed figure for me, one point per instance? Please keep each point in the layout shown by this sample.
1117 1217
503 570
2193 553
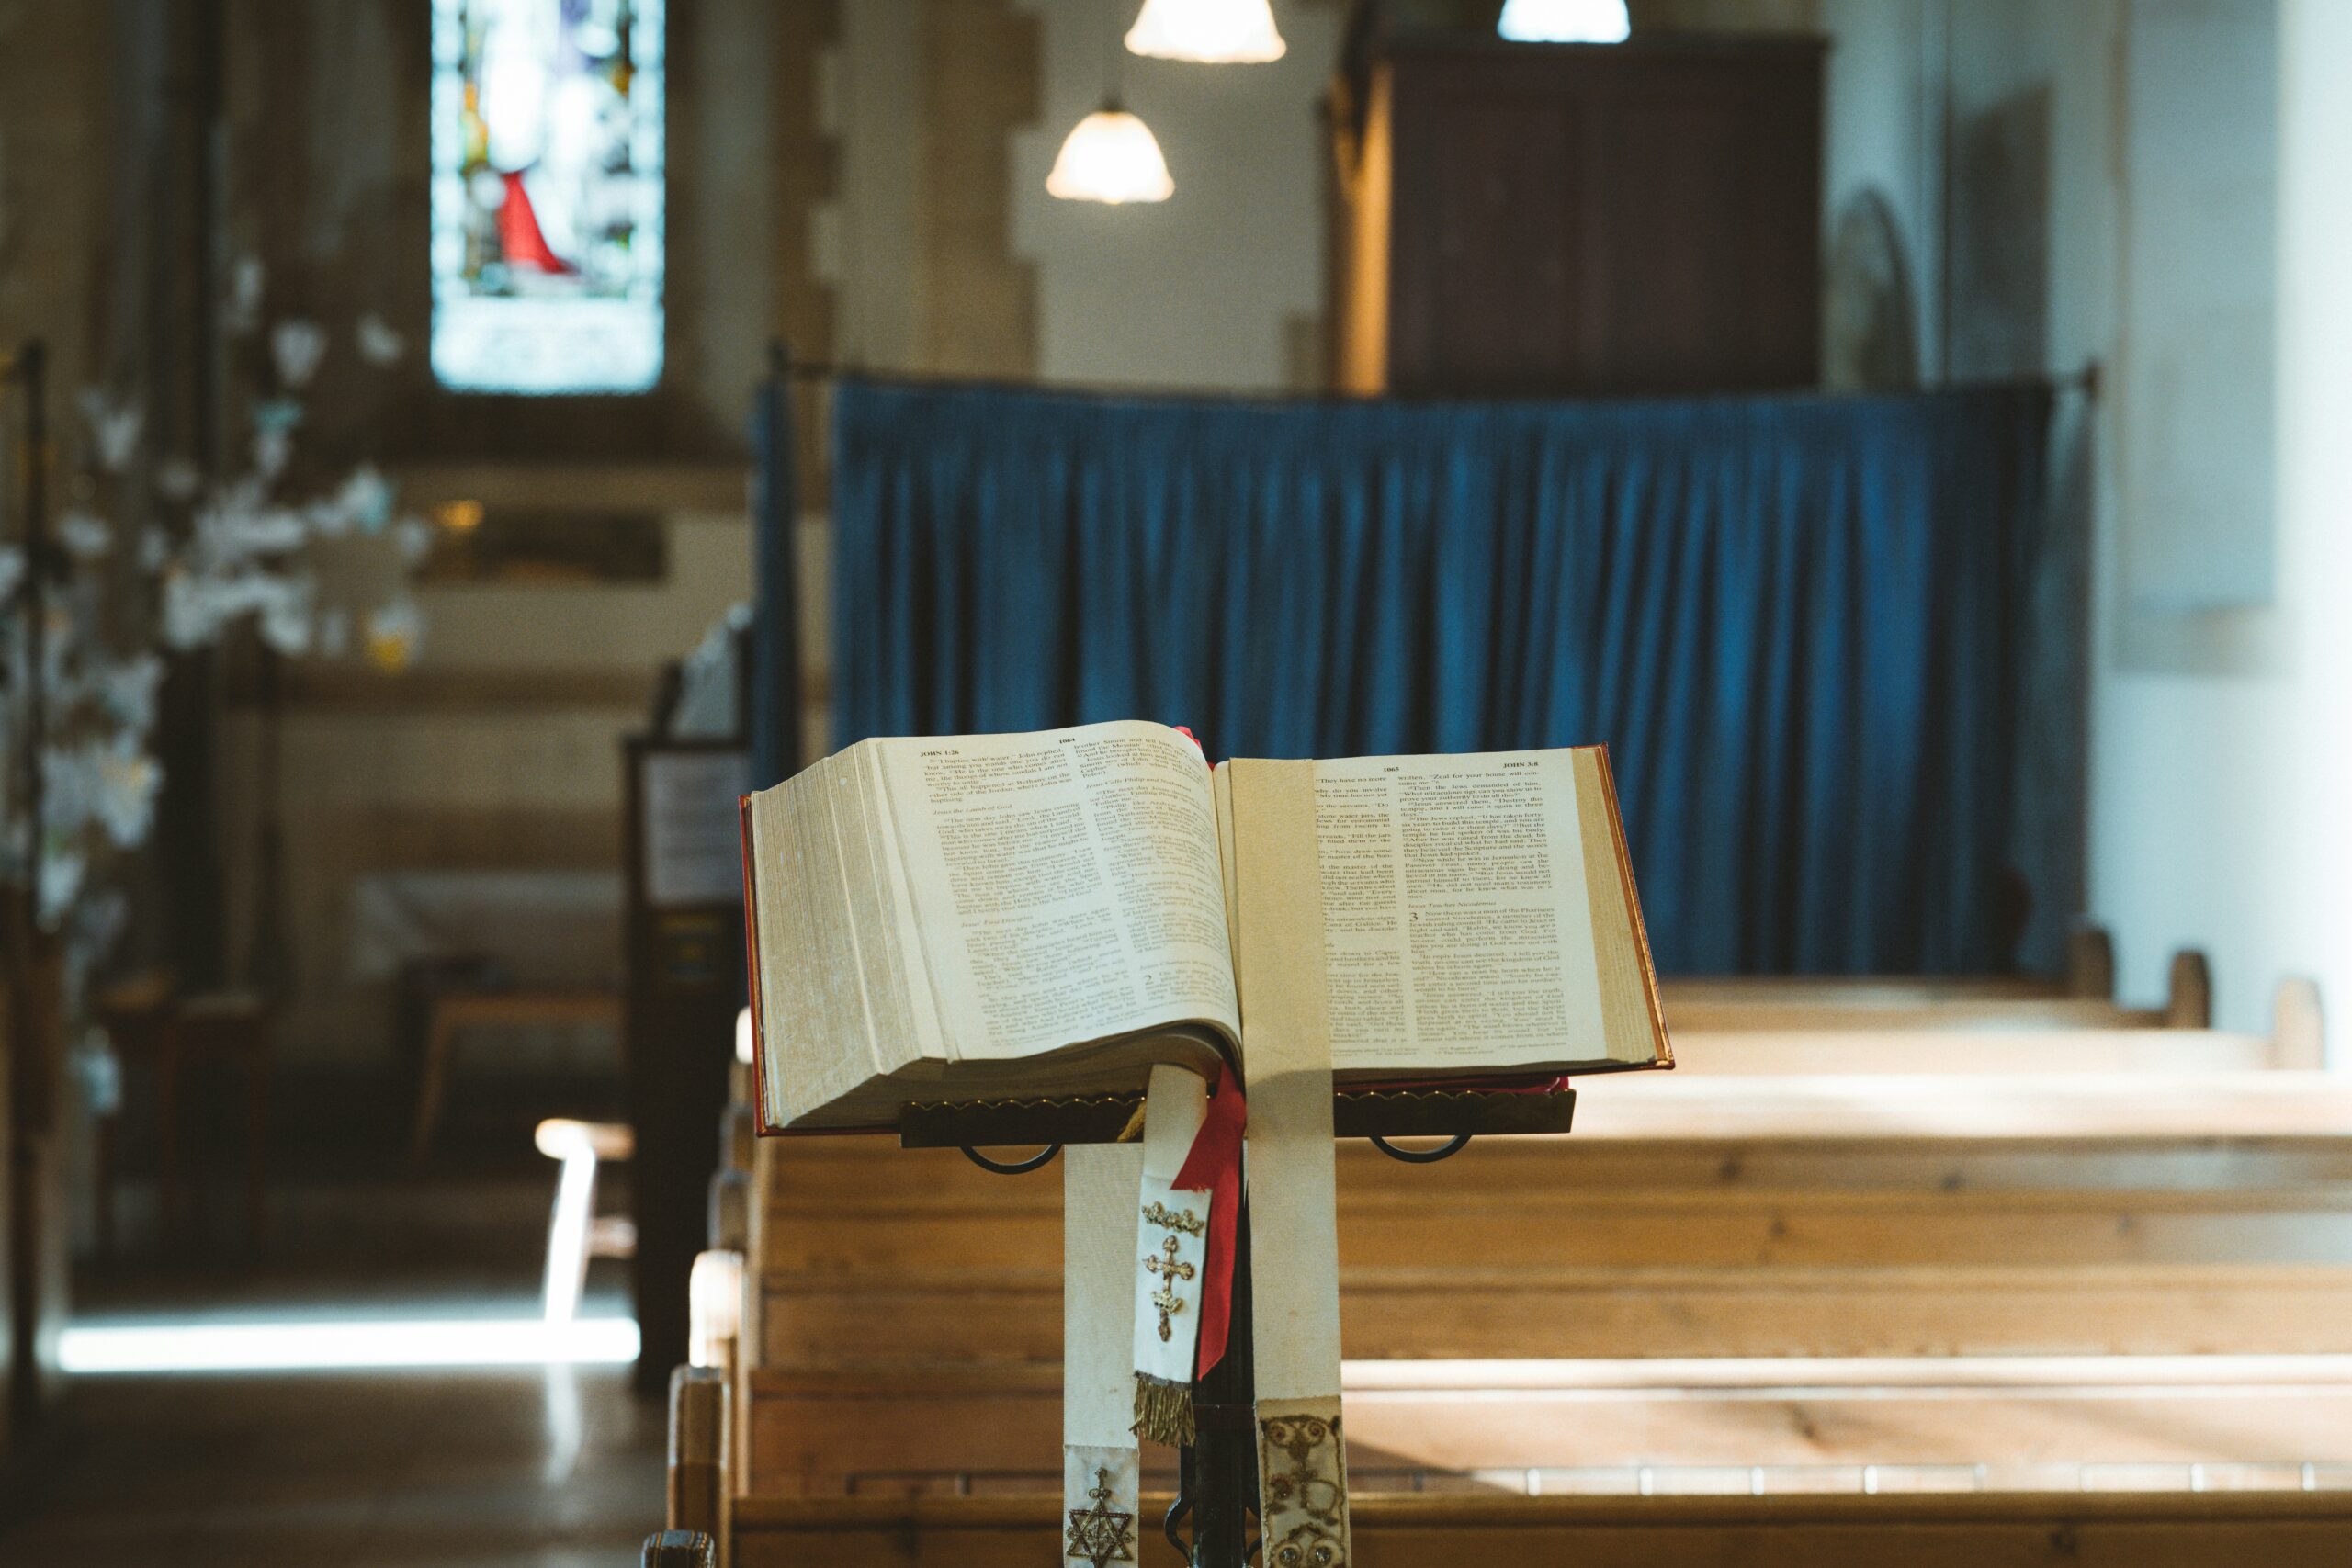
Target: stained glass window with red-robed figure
547 196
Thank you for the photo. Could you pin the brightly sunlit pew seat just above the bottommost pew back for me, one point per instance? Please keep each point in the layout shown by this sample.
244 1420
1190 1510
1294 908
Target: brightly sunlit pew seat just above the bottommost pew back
1593 1423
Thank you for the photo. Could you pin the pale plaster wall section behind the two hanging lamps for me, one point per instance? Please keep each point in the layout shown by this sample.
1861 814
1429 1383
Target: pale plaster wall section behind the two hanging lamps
1194 293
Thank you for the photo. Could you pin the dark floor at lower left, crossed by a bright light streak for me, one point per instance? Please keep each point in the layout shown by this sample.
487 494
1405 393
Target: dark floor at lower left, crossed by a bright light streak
500 1468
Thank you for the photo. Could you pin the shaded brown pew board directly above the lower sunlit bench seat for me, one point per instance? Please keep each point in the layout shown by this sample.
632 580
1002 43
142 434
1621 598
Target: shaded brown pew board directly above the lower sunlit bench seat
1516 1311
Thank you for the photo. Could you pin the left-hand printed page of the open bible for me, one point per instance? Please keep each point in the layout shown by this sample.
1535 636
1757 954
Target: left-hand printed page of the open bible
1067 885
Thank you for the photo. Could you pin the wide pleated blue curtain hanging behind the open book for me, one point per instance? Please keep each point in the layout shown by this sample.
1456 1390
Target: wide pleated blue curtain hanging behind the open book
1796 622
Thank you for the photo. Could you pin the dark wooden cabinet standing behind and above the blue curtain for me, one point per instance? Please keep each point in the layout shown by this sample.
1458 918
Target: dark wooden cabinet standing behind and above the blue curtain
1584 220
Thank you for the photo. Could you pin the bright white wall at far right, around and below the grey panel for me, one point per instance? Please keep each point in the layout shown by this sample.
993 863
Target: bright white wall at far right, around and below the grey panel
2219 798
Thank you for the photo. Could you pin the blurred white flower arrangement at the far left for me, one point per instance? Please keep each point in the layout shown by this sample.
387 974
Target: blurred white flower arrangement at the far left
121 598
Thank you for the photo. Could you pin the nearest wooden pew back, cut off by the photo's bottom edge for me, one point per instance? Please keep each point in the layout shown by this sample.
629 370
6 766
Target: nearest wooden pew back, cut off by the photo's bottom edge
1549 1532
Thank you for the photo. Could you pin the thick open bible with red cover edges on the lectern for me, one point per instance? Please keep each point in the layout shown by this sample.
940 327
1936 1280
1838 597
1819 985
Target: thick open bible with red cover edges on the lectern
996 918
